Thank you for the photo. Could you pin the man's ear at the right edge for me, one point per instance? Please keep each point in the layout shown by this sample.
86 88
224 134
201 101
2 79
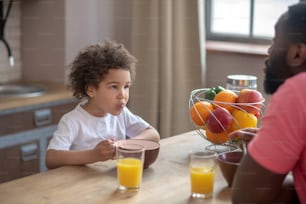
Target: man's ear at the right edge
296 55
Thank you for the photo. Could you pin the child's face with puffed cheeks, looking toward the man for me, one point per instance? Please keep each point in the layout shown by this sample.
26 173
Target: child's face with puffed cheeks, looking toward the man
112 94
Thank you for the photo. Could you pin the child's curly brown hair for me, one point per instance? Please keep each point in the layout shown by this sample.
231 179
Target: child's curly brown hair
93 63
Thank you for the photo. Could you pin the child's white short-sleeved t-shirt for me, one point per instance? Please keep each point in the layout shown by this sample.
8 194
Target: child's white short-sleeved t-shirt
79 130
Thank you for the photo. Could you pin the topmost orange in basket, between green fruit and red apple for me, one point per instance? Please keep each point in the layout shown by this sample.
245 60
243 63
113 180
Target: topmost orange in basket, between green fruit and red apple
224 97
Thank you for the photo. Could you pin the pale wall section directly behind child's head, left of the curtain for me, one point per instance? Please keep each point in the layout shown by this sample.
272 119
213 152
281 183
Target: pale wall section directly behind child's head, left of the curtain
92 21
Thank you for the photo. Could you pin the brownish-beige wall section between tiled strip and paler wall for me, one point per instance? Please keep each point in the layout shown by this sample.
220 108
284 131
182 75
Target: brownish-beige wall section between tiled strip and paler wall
43 47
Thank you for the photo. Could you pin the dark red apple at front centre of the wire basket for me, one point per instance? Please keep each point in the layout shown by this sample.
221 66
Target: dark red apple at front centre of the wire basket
219 120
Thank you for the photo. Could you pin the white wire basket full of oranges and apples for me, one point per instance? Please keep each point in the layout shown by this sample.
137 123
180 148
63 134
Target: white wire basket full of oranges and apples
215 114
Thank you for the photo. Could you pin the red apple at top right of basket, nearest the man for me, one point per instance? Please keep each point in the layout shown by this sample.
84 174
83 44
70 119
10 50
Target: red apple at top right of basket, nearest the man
250 96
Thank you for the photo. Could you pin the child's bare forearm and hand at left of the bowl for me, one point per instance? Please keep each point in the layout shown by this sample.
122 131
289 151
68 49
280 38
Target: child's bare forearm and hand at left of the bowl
103 151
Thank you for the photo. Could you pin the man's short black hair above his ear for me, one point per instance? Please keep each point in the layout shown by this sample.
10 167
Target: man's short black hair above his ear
296 22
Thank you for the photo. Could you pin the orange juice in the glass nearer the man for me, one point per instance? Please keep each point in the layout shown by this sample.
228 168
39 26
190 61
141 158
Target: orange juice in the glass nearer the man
202 180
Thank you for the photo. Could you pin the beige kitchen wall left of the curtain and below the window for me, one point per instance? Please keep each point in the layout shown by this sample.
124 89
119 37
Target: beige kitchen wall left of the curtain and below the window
49 33
